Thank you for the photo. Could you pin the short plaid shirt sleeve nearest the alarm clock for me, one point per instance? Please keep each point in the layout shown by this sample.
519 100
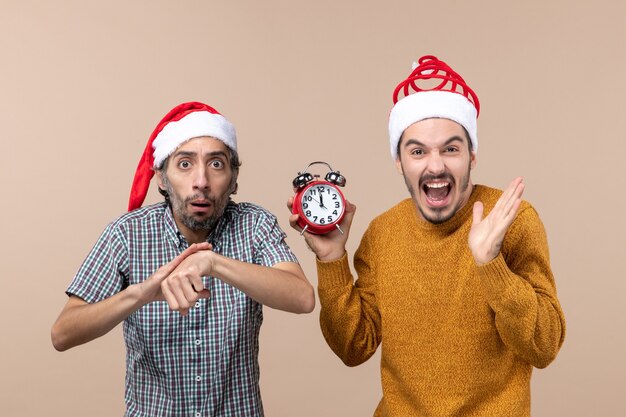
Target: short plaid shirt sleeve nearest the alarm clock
270 244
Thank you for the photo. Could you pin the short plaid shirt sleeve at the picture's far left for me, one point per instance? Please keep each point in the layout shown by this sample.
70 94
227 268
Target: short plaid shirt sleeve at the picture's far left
105 270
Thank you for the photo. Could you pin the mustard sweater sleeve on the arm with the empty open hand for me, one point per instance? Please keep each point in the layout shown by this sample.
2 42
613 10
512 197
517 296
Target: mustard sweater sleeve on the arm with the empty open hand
519 287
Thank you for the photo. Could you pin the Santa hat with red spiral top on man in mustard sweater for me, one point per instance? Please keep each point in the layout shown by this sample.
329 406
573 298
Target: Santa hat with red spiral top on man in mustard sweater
450 99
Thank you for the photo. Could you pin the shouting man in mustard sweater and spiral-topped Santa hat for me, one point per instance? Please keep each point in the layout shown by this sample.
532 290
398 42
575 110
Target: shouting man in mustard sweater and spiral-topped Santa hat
454 283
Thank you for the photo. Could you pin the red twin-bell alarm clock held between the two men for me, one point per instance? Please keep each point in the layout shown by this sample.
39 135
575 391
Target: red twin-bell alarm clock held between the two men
320 204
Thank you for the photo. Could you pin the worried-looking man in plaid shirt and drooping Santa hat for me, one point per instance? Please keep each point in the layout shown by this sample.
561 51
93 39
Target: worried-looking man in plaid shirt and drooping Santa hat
188 277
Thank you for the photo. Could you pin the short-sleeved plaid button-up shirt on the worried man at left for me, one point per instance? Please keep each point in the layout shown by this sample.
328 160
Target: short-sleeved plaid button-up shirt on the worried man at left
202 364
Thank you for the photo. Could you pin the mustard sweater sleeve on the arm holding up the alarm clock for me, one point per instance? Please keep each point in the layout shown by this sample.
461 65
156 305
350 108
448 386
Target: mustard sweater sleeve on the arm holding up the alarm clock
349 316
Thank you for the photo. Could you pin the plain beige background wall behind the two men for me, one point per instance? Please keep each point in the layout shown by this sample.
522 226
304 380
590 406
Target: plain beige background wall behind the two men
83 83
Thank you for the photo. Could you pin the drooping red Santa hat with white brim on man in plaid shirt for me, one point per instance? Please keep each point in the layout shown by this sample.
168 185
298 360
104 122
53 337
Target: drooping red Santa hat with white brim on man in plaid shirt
184 122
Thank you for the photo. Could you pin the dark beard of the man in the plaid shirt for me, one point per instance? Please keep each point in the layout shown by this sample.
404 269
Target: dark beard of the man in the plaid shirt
179 204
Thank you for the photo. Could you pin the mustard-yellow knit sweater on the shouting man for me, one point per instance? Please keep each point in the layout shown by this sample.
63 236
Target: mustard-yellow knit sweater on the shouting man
457 339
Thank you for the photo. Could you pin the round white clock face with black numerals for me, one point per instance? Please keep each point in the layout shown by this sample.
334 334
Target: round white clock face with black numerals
322 204
